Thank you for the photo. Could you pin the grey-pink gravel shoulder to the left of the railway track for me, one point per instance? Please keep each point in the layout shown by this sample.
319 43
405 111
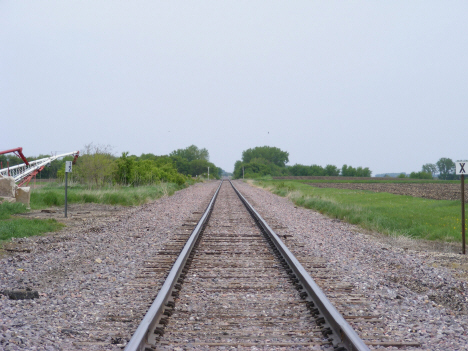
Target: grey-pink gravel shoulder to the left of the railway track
87 275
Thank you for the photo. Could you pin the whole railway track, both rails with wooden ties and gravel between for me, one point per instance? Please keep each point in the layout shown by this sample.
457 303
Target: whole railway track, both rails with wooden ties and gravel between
236 284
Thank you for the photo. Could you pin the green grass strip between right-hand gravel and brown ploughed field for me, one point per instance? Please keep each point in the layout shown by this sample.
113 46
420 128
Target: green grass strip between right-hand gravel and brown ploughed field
383 212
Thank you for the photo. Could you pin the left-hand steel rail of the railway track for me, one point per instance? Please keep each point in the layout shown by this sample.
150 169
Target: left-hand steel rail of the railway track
141 338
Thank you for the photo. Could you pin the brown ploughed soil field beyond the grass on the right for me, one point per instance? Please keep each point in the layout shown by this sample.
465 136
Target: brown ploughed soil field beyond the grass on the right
427 191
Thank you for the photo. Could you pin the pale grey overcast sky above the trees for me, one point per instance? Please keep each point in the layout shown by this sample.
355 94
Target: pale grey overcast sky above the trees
378 84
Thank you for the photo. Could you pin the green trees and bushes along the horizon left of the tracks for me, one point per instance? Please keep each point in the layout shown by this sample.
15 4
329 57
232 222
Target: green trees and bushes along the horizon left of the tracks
98 166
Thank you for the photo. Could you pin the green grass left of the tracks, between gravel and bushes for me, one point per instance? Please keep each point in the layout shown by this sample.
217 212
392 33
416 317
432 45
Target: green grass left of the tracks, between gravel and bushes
12 226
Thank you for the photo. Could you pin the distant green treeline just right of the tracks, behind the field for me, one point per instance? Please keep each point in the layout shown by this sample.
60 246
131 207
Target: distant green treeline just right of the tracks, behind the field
266 160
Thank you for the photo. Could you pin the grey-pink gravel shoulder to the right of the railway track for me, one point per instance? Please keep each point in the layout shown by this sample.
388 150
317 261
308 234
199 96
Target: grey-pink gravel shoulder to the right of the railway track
421 295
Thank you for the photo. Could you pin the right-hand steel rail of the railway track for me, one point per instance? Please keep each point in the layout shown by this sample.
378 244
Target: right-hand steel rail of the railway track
343 334
